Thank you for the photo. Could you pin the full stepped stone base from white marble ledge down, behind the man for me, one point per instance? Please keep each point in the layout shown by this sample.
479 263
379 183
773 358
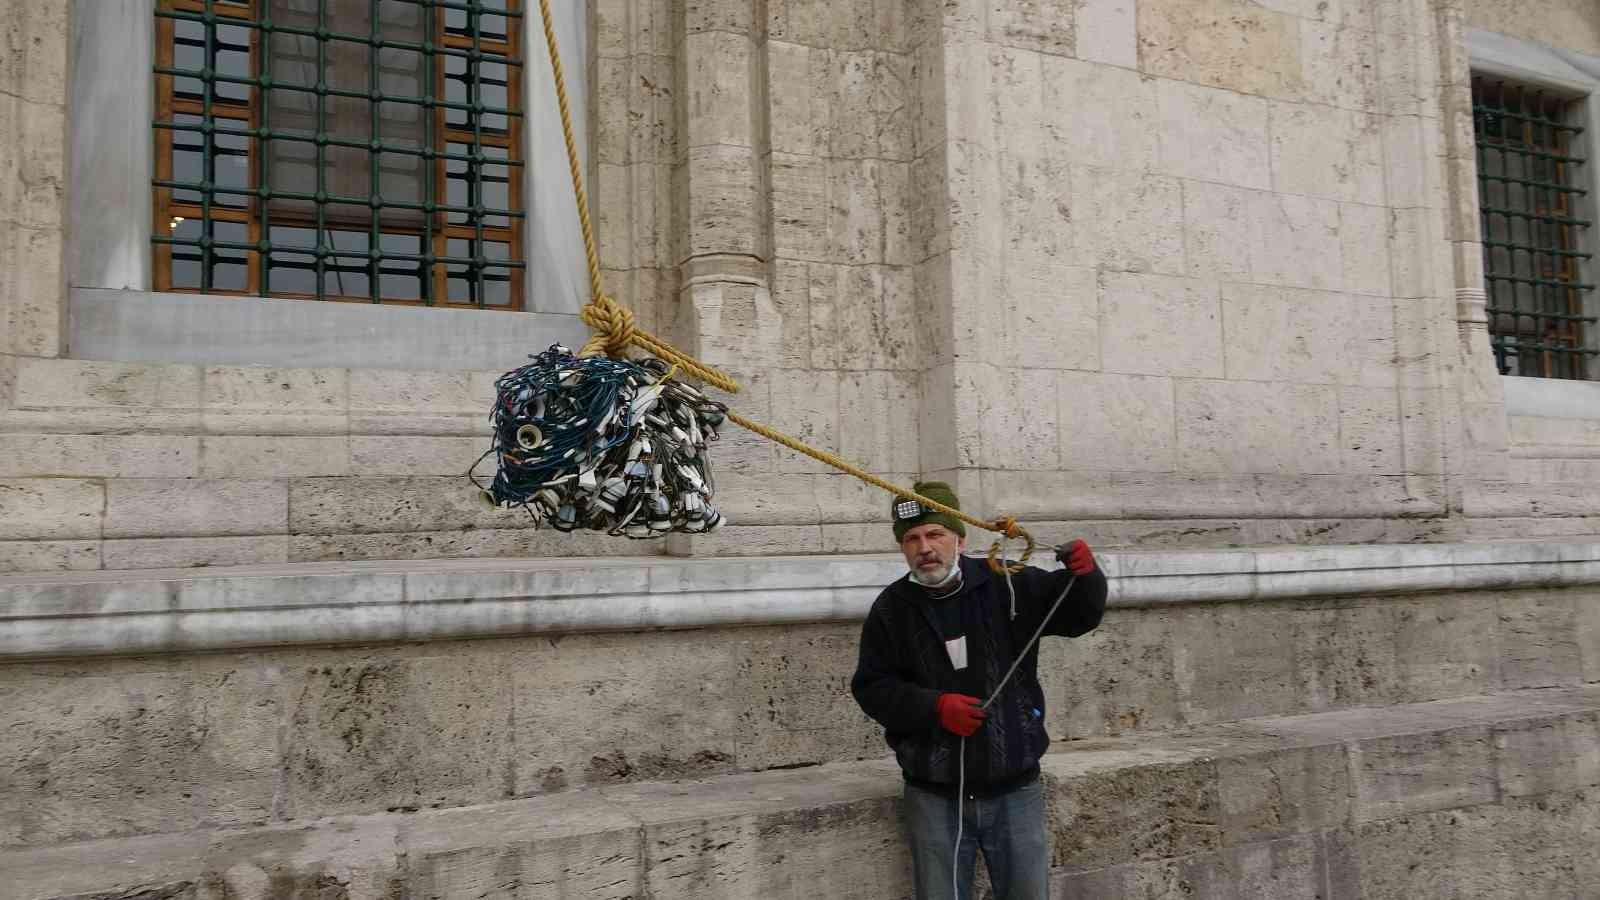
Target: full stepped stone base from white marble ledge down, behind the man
1334 723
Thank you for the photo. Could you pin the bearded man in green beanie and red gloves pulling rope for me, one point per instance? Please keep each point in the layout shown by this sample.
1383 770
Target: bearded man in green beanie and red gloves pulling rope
935 646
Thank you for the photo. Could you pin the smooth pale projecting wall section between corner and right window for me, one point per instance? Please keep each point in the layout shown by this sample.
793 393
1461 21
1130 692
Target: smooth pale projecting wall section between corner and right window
1198 262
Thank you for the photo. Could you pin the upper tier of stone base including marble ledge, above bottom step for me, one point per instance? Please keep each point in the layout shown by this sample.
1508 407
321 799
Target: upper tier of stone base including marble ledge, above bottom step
174 701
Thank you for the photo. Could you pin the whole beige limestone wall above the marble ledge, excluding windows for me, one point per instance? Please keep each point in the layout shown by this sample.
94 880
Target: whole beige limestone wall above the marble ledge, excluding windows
1206 275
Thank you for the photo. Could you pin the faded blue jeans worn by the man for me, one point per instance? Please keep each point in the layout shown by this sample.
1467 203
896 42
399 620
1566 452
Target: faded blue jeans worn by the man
1010 830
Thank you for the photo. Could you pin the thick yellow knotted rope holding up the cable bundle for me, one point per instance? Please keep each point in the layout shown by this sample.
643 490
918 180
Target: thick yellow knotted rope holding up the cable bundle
615 331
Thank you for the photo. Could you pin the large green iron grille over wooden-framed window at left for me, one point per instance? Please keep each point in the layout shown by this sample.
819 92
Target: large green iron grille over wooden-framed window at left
342 150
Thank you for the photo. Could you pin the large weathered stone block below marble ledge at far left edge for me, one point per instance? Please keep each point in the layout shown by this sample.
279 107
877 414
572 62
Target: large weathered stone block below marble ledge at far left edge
135 749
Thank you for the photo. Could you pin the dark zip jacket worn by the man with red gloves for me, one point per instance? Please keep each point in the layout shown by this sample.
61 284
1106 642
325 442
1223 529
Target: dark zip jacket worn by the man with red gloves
903 670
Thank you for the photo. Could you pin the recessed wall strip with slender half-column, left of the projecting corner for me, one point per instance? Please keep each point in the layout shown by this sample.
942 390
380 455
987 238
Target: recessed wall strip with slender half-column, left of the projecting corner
796 204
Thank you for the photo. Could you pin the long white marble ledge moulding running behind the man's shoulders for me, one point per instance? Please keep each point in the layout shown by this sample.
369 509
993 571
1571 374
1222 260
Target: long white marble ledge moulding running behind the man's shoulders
354 603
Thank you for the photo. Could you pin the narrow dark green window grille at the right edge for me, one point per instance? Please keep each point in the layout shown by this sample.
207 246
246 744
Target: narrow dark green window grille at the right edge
1535 233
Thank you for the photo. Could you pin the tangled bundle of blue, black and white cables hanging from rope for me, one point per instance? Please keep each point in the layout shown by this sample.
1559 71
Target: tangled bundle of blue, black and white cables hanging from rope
602 444
